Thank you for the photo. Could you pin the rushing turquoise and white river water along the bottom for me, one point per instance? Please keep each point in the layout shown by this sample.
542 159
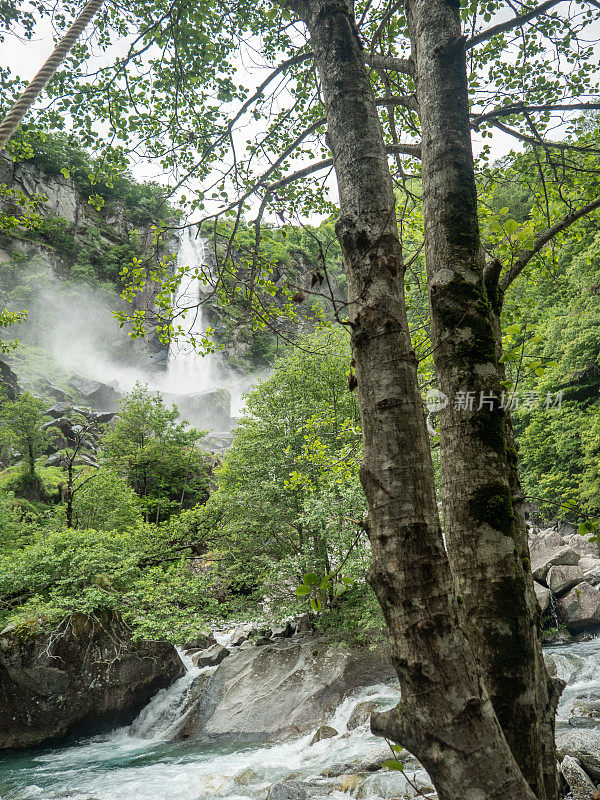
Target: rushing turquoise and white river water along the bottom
137 763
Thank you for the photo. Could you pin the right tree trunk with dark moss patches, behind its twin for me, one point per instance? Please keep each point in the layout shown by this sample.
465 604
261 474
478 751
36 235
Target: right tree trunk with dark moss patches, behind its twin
487 546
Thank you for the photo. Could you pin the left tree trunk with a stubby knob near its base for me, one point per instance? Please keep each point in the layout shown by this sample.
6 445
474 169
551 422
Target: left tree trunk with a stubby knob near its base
445 717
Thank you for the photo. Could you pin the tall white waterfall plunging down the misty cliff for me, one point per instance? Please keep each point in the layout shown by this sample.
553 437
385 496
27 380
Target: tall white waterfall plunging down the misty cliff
187 370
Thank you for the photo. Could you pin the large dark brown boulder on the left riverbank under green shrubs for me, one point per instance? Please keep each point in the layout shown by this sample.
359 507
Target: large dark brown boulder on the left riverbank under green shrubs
84 674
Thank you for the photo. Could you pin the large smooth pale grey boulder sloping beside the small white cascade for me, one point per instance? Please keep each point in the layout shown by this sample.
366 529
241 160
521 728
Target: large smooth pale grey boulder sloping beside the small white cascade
284 689
